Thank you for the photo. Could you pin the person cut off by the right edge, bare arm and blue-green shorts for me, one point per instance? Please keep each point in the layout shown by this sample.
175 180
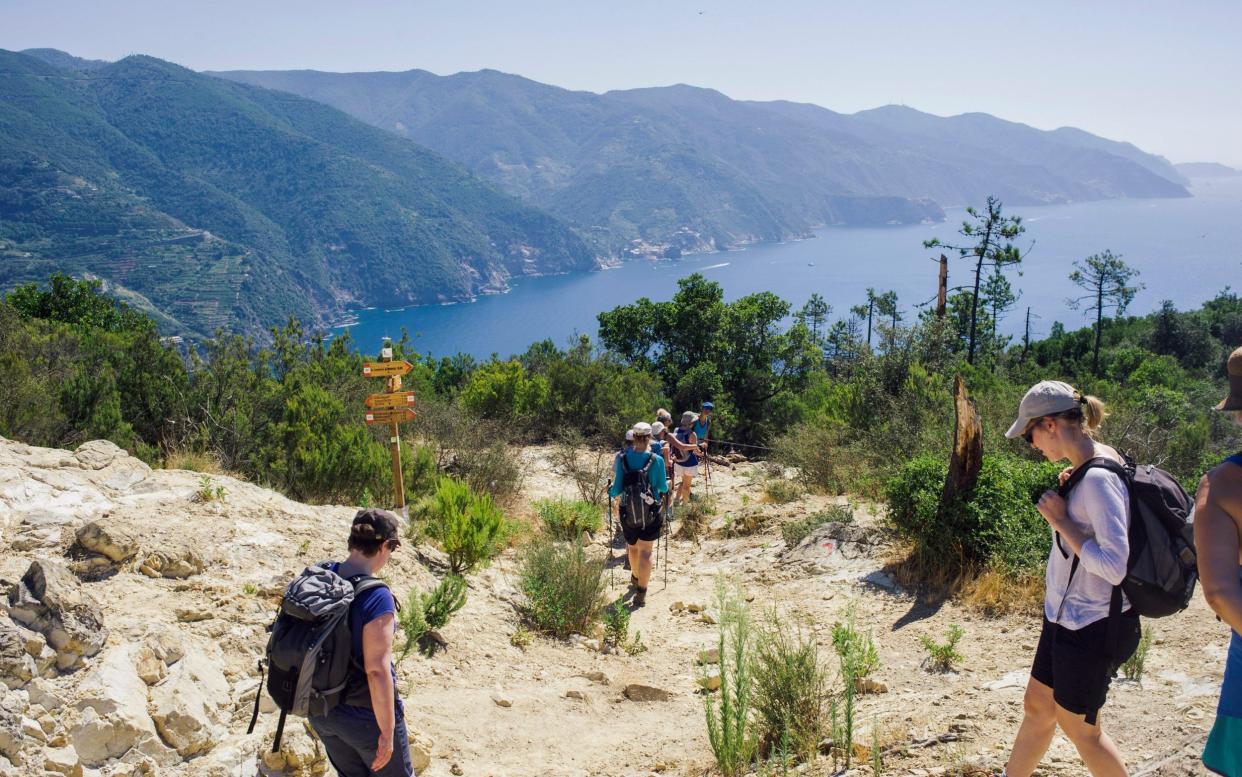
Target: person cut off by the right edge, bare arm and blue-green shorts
1219 544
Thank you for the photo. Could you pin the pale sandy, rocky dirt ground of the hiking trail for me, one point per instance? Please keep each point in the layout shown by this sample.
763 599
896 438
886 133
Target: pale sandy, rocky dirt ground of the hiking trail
253 541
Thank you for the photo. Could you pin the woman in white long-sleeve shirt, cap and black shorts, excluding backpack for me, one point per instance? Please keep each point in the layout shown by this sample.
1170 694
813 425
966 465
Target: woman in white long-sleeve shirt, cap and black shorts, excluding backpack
1081 646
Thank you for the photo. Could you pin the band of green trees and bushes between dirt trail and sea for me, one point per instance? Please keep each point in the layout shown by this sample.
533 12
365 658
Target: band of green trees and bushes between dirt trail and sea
866 420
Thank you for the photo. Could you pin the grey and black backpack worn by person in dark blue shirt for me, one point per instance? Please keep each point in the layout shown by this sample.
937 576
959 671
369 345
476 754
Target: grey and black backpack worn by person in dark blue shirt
310 661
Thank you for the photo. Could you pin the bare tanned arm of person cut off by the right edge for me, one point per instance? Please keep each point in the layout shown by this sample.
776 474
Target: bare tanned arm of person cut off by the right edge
1217 542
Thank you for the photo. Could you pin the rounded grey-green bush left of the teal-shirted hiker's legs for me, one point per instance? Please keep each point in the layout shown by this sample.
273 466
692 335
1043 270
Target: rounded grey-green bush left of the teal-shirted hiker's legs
563 586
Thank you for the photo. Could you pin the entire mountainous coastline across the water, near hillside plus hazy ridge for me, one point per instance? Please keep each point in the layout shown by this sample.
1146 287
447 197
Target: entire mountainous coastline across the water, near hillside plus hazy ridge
211 202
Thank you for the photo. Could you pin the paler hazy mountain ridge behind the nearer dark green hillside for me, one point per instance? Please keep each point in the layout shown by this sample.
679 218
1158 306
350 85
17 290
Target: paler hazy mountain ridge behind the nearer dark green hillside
686 168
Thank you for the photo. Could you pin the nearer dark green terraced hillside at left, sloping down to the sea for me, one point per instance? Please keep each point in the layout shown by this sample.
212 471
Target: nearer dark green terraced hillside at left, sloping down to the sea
218 204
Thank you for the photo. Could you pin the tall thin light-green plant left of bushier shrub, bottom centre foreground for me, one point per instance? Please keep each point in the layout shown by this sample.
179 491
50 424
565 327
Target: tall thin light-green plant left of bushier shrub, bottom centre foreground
731 730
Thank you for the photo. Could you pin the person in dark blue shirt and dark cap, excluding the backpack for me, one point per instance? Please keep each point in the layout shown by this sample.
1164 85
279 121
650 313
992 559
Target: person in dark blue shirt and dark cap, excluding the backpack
366 735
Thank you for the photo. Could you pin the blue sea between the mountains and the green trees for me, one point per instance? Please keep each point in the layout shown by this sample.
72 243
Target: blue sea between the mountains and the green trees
1187 250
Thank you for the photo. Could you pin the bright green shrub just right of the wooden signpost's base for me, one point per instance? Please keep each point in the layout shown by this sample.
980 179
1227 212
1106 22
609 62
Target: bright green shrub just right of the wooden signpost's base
470 527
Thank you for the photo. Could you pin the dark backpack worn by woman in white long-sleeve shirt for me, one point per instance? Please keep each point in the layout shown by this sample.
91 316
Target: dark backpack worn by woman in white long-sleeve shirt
1163 568
